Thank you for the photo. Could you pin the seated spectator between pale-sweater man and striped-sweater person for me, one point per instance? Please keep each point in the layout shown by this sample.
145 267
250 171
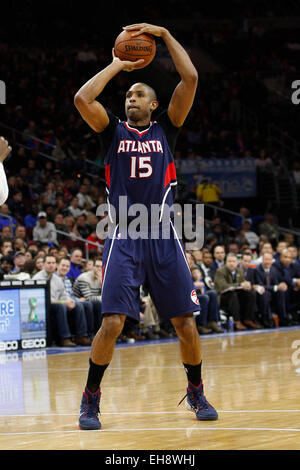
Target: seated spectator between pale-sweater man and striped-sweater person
63 268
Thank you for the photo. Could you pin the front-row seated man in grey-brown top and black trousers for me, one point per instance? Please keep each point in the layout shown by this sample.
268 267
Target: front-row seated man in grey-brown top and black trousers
236 294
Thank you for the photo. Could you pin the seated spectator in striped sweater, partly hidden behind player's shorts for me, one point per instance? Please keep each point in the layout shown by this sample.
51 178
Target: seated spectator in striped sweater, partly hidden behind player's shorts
88 286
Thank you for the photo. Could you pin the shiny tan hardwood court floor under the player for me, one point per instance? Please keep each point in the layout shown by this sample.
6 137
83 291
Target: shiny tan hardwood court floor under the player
250 379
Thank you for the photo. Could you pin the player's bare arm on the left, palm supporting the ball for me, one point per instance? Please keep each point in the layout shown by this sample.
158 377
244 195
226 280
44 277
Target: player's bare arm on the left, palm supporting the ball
85 99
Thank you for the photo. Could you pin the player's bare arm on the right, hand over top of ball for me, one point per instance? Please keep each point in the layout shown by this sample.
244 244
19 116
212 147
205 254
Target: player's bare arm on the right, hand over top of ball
183 96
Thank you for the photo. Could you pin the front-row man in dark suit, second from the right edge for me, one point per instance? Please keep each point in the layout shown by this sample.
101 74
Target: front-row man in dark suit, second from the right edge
274 291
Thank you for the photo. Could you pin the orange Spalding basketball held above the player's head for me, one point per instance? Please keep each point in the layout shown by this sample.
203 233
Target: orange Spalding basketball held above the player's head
135 48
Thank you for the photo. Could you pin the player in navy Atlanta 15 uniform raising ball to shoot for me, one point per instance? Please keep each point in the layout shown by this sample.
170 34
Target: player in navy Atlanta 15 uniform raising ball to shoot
139 164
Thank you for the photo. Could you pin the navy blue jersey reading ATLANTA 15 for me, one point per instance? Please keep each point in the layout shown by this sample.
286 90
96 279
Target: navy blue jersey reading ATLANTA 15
139 162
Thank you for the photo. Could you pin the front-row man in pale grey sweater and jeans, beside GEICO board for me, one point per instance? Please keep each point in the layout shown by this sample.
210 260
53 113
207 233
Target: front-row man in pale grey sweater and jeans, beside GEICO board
62 306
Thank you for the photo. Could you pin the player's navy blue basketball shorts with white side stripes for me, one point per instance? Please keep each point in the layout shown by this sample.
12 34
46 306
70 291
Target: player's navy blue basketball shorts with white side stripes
158 264
